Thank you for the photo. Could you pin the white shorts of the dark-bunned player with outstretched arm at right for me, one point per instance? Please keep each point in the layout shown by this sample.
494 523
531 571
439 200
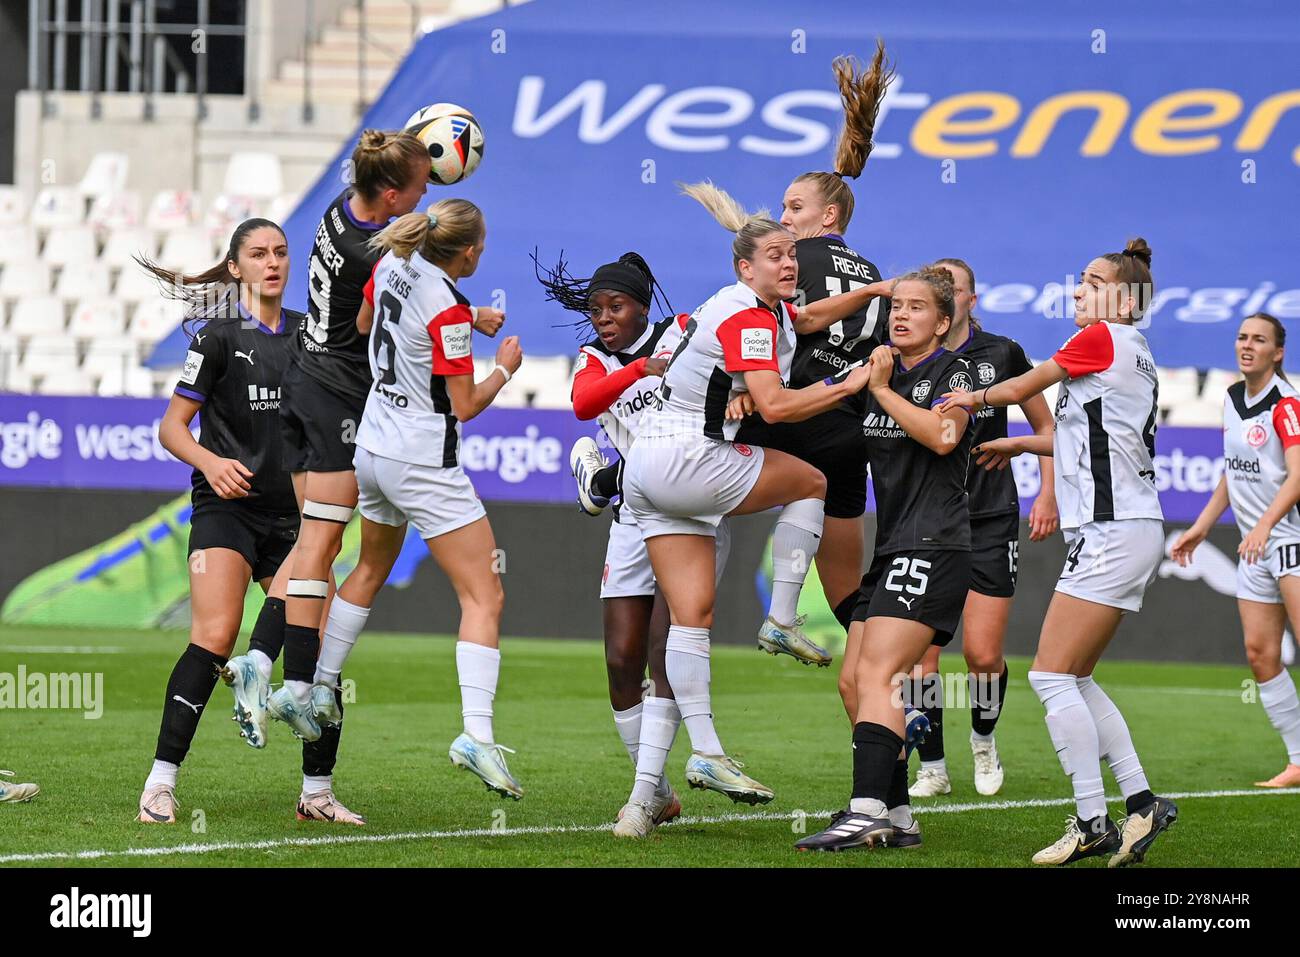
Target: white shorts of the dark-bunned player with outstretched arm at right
1113 562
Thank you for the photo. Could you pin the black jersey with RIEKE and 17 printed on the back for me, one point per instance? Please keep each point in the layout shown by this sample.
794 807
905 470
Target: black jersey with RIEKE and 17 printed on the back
829 267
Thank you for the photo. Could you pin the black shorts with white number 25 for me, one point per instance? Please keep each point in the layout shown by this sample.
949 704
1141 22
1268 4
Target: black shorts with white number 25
928 587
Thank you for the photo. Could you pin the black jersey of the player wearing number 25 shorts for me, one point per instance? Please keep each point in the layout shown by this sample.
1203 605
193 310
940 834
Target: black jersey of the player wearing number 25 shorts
921 496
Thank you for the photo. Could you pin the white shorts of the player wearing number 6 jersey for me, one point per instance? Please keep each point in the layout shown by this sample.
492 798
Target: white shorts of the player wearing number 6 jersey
434 500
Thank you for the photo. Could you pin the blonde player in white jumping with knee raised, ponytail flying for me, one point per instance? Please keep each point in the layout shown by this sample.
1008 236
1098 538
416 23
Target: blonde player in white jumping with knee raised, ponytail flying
686 473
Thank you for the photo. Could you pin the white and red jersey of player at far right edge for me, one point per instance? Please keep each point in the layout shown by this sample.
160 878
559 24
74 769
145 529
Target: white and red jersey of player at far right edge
1258 431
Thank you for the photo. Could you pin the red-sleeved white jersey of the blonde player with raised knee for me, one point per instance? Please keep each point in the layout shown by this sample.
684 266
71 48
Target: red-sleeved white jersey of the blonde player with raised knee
731 335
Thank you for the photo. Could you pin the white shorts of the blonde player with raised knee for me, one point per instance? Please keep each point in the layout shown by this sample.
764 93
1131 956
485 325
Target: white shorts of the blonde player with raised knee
687 484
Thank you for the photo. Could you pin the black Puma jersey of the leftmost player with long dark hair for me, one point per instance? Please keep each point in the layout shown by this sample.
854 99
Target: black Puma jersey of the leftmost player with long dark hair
235 367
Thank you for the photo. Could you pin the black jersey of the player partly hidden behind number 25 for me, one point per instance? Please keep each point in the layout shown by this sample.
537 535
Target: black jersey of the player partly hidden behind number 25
989 360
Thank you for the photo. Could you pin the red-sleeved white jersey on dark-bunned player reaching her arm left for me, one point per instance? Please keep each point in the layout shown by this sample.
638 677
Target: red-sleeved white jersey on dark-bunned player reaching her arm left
1106 427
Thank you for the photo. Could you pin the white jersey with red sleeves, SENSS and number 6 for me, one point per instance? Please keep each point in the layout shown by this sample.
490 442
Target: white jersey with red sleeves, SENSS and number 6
422 335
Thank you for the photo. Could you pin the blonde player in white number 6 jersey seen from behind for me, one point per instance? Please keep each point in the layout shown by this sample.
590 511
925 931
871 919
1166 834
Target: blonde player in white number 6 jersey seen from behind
409 458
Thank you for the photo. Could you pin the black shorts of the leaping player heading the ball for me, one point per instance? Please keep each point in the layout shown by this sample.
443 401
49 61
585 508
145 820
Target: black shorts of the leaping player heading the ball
318 428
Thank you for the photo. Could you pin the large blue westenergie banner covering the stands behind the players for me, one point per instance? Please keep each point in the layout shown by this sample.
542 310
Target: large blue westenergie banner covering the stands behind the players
1025 138
